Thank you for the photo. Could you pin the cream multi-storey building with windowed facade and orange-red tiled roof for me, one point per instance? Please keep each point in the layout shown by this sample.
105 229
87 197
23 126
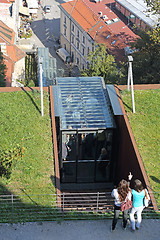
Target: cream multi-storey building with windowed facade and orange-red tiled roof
82 25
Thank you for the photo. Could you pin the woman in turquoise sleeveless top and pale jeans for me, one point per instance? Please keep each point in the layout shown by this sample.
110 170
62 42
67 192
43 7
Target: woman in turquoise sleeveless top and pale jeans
138 194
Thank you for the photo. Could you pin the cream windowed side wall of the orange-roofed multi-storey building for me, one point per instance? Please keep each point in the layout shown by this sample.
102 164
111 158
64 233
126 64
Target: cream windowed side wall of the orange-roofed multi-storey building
75 40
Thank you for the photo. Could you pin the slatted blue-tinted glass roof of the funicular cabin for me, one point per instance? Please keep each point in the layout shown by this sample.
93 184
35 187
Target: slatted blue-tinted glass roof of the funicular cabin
82 103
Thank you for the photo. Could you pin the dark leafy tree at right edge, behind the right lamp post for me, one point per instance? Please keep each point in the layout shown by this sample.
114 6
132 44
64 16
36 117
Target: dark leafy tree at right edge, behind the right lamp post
147 59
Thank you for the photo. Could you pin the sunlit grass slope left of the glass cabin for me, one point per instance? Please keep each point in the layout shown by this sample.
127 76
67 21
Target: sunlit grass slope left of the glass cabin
23 126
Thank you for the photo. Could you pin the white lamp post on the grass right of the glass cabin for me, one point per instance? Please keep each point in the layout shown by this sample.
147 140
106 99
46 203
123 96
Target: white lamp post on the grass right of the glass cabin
130 80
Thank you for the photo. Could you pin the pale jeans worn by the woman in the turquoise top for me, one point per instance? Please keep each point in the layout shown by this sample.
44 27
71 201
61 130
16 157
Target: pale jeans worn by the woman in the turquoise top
138 211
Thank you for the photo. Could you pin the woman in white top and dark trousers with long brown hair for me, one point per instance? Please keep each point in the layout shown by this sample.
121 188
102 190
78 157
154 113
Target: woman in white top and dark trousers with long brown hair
120 194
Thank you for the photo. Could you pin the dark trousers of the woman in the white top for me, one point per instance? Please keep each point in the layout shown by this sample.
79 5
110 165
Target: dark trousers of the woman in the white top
116 215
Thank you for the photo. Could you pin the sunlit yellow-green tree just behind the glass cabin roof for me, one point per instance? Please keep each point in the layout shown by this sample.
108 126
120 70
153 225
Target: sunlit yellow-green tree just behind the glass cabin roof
102 64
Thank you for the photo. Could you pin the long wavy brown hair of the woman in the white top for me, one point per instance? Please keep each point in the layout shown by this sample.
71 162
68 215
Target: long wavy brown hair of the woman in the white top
123 189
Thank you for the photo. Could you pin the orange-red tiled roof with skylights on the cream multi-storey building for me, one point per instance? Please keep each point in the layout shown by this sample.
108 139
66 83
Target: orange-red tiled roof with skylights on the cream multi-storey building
86 14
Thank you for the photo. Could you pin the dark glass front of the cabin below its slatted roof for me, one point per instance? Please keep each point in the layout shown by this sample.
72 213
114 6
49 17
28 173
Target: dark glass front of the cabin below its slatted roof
86 157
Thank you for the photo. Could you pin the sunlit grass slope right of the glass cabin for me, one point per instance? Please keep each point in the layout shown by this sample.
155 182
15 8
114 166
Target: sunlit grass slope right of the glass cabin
145 124
